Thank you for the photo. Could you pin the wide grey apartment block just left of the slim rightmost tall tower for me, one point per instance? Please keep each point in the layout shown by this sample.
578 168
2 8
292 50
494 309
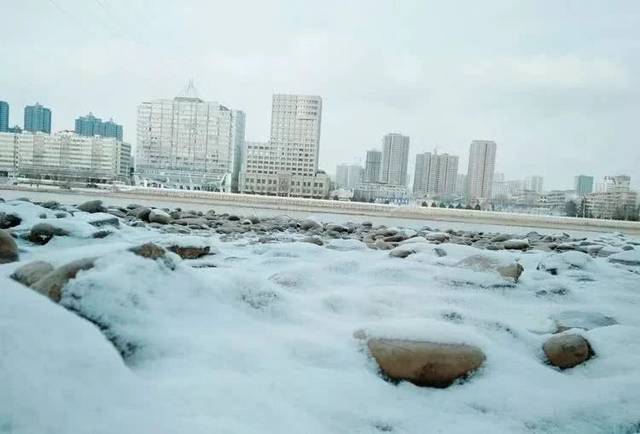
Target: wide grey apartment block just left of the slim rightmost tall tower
435 174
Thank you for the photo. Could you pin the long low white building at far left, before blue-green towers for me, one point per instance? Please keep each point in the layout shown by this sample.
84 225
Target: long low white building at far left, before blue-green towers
65 156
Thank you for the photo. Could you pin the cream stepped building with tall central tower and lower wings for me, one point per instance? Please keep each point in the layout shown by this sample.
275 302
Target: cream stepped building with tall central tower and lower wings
287 165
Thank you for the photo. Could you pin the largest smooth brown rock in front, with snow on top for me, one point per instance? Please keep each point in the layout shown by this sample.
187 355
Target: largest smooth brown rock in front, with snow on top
425 363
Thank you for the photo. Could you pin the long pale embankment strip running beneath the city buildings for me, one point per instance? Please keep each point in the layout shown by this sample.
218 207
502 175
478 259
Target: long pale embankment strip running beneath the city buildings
286 204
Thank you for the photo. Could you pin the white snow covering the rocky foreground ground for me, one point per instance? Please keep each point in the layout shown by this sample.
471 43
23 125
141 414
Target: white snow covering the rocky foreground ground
258 337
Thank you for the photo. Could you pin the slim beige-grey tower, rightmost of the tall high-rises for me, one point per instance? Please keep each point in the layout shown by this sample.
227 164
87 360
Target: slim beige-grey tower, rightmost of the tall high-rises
482 160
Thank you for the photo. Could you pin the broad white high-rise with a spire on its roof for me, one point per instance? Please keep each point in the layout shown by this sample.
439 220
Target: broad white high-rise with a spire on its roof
189 143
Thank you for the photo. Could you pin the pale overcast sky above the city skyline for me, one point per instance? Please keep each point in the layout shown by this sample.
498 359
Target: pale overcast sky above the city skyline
556 84
